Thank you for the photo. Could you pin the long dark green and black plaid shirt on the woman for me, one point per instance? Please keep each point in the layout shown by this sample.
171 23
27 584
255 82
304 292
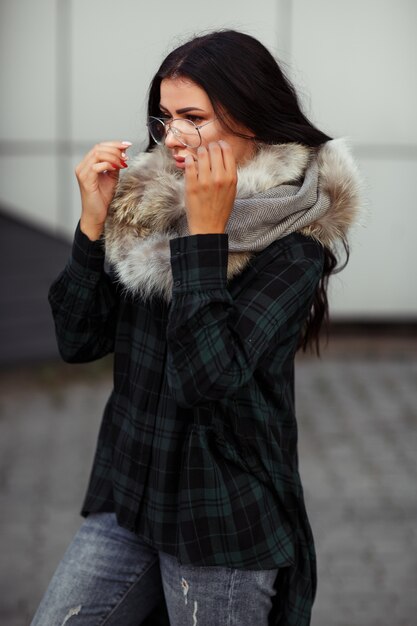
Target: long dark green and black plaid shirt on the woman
197 452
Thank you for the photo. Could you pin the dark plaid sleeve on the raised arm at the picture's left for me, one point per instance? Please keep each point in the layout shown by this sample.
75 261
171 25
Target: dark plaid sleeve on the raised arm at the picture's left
84 301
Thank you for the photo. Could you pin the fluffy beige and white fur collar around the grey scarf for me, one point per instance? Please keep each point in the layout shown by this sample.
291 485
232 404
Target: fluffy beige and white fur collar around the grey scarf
148 208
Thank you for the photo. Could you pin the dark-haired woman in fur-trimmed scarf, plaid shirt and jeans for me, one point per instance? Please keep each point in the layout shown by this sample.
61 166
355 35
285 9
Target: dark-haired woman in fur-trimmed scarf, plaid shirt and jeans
220 239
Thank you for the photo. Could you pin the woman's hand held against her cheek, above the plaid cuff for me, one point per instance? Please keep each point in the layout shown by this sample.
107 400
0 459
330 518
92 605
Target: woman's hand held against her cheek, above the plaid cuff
210 188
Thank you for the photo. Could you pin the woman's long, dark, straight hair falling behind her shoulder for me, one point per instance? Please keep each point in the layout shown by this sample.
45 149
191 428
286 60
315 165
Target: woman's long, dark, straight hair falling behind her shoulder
246 85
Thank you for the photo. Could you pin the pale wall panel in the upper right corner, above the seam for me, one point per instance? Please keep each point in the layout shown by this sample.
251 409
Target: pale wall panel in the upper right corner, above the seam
356 62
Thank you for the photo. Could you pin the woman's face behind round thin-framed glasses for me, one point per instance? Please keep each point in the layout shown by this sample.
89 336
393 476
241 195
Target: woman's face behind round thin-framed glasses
181 98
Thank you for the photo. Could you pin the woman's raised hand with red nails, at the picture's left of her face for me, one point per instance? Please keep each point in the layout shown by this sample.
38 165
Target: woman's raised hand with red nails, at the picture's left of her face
97 177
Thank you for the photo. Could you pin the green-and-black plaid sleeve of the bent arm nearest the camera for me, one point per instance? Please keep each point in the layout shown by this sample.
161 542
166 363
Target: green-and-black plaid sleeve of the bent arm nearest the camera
215 341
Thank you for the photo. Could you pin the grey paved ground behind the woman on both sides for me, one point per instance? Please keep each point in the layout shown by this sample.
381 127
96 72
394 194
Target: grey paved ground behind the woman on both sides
357 415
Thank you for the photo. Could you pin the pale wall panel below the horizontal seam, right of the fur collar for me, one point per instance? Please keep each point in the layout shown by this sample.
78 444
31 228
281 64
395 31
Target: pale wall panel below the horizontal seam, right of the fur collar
379 280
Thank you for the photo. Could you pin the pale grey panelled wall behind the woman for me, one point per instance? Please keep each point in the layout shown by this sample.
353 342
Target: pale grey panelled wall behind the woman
75 72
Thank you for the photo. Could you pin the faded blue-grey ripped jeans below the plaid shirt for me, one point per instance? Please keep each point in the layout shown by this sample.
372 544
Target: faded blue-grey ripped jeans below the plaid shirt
109 577
